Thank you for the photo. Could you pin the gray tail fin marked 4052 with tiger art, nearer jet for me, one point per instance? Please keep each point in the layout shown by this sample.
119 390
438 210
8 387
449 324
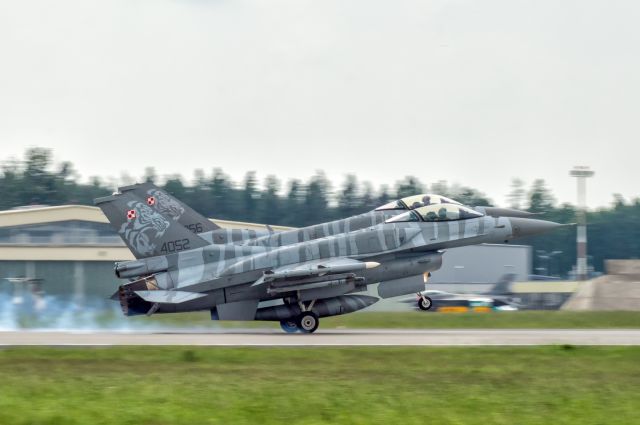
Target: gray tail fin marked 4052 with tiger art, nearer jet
145 231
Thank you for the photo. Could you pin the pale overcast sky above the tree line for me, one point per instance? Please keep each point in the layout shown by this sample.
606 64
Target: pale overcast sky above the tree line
473 92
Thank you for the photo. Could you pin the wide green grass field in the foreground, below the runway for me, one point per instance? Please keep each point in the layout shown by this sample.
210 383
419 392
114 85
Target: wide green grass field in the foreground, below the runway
162 385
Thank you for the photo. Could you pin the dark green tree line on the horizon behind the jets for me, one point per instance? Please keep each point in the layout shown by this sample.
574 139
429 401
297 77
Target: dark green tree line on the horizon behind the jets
613 232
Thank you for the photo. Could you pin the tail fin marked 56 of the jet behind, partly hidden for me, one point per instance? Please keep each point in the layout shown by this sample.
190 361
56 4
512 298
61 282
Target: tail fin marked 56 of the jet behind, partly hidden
171 207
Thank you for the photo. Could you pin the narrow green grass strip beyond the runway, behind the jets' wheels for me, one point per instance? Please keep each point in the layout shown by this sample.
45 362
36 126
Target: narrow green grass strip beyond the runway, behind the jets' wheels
421 320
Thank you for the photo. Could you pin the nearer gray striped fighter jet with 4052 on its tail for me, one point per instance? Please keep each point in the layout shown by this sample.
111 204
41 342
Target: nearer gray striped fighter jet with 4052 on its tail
294 284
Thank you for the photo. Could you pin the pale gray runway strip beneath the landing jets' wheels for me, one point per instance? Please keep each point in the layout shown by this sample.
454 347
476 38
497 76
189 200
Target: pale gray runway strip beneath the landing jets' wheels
369 337
